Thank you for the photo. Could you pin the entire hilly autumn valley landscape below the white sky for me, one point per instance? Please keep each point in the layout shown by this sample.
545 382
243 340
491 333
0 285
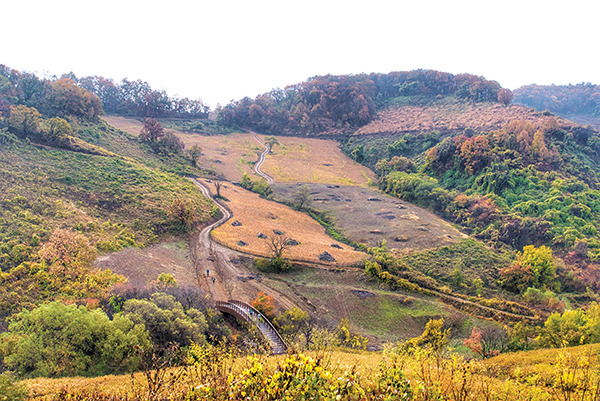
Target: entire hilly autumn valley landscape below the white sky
414 220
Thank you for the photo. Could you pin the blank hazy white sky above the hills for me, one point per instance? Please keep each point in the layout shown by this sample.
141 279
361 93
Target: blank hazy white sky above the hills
228 49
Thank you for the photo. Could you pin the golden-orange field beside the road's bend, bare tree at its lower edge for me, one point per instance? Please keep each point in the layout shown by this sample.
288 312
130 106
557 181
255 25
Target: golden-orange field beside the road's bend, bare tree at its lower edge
259 215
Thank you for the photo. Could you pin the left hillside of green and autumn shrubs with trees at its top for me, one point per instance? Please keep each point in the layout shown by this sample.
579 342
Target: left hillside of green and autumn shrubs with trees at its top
74 187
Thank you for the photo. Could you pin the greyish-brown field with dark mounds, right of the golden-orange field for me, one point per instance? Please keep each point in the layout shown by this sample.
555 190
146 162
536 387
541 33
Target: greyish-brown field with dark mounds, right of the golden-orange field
367 216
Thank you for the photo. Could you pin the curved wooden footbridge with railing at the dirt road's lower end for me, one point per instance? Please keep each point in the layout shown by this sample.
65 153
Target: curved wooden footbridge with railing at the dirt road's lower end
247 313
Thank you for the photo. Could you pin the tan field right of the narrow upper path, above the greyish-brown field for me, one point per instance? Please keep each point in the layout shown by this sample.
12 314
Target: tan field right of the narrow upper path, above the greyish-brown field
313 161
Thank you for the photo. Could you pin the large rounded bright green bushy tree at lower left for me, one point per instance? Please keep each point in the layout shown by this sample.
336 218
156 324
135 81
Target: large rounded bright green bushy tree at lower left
64 340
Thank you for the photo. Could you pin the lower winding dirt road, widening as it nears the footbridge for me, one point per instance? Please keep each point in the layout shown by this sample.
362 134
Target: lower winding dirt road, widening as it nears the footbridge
231 280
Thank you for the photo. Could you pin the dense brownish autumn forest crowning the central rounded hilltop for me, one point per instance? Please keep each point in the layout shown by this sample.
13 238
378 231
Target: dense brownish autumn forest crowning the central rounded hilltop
340 104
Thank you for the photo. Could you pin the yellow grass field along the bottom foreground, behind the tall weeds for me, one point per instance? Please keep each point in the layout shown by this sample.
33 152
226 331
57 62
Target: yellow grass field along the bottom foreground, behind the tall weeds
475 379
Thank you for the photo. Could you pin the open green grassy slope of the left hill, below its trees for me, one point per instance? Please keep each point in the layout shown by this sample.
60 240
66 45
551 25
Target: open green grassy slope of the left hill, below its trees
109 202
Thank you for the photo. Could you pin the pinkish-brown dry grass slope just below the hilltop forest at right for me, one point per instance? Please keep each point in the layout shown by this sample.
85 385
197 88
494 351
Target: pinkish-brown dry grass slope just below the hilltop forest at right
453 116
